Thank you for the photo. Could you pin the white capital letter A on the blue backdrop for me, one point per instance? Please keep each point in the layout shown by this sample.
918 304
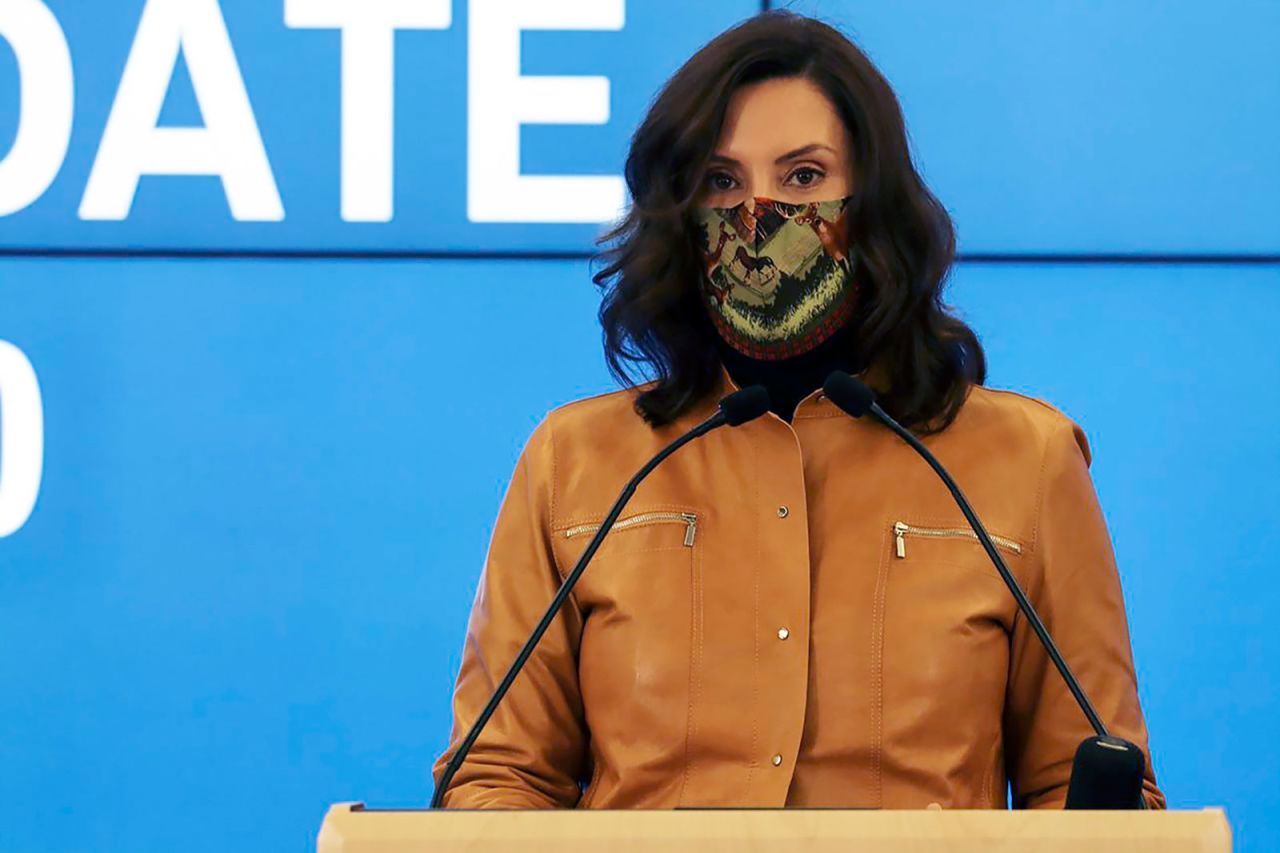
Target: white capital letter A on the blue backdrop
228 145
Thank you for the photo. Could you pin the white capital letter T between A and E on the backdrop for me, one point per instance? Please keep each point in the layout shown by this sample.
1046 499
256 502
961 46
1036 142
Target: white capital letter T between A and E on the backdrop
368 89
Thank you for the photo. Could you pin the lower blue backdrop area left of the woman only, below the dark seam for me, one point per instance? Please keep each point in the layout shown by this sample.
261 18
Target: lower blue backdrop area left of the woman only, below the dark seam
268 492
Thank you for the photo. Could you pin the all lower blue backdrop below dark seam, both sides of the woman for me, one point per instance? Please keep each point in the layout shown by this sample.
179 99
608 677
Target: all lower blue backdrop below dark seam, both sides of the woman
269 489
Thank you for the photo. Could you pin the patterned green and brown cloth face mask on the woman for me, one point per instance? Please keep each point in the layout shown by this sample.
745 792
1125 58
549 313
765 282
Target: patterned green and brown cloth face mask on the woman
779 277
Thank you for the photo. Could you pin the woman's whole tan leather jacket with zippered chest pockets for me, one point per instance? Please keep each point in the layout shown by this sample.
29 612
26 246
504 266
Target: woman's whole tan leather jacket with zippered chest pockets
794 615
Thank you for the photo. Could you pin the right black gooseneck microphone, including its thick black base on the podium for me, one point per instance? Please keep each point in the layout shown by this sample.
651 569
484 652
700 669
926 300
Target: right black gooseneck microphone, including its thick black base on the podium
1108 772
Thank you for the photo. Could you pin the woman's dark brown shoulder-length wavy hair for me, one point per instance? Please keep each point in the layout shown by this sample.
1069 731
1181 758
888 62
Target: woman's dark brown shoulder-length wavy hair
904 244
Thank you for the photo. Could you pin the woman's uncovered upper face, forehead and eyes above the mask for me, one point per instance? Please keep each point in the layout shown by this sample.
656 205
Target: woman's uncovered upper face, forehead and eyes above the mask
784 140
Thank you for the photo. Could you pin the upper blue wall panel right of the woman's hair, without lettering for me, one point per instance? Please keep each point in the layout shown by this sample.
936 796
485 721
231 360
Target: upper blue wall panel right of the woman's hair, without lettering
1105 126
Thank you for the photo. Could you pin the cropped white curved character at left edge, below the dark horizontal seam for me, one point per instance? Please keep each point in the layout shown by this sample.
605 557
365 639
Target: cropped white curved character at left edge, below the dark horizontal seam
22 439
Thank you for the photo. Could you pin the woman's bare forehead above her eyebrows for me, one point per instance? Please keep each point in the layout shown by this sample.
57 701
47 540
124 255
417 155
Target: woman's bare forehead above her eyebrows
774 117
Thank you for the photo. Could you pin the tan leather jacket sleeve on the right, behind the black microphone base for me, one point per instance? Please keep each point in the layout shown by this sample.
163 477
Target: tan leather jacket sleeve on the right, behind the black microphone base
1072 581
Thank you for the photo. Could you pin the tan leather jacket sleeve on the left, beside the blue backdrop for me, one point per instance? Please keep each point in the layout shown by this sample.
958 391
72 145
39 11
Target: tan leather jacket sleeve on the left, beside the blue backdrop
533 751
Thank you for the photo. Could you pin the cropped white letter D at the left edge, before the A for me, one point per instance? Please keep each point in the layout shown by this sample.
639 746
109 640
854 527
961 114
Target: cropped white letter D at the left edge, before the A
47 93
